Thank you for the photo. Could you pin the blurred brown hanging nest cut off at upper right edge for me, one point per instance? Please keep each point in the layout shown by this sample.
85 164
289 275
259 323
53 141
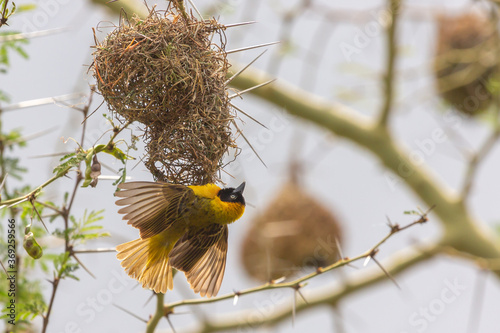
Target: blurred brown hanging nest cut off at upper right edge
466 60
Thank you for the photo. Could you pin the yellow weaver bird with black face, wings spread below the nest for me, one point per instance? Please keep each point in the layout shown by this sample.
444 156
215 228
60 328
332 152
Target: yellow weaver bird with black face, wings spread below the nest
184 227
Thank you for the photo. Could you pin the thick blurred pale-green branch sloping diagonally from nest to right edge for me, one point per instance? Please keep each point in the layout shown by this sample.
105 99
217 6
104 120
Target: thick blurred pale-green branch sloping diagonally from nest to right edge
461 230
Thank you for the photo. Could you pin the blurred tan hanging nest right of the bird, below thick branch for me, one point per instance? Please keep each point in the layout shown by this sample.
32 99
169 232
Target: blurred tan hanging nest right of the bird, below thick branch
293 233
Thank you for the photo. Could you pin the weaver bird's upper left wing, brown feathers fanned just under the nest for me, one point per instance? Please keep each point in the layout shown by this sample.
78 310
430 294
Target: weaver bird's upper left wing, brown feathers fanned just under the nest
152 206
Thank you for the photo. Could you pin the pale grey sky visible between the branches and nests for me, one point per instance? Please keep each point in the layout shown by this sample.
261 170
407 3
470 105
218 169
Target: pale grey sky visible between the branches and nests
342 176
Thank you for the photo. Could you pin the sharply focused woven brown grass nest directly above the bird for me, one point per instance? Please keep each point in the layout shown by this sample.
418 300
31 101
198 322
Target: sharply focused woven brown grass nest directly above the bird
166 72
